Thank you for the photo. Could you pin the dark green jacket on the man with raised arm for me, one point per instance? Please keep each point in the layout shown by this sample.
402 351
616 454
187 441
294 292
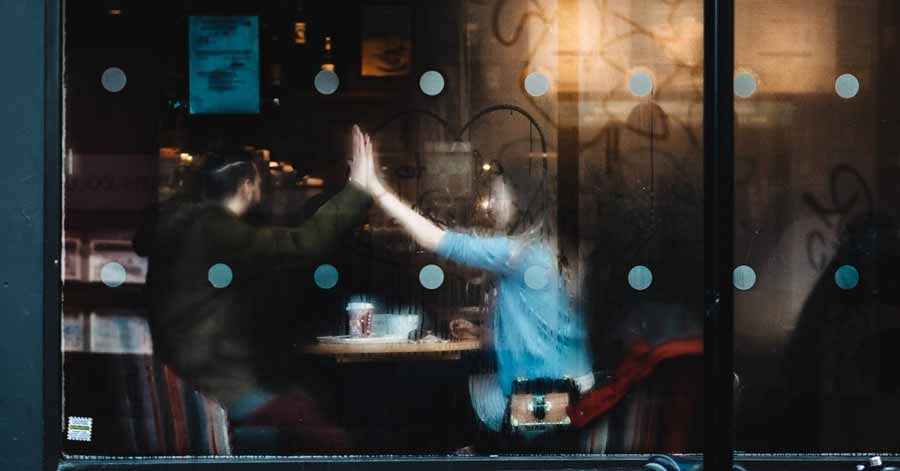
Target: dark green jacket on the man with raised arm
209 335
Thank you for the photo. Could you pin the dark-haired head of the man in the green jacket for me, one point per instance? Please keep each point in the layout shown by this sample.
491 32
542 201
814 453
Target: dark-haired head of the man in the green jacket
233 180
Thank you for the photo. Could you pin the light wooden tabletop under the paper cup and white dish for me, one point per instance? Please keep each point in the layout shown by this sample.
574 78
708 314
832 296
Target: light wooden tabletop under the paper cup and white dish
345 353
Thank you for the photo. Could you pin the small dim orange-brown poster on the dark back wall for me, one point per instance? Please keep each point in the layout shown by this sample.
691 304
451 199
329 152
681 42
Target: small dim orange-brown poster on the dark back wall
386 48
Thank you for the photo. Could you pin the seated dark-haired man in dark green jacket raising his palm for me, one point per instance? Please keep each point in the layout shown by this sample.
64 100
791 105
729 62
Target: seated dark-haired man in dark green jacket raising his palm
208 282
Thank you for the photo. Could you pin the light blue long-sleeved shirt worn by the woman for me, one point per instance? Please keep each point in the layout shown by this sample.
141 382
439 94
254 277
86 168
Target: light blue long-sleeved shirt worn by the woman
536 332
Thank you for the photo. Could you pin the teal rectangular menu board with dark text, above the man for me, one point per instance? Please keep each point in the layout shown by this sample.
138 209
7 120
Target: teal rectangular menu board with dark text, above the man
224 64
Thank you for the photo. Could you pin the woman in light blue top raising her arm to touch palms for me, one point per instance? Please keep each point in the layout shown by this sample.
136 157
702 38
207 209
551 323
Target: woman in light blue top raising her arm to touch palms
536 333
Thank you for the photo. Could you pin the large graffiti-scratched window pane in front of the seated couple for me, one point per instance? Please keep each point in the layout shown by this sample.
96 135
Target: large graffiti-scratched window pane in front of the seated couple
555 147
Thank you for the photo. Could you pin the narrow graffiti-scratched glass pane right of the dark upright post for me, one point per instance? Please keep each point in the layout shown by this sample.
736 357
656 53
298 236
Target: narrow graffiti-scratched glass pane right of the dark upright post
816 218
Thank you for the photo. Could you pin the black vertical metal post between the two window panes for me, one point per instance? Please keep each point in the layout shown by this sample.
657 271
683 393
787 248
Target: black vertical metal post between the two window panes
718 222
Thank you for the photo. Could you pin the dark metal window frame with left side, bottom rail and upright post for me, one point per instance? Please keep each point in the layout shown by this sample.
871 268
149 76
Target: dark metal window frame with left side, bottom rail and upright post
31 402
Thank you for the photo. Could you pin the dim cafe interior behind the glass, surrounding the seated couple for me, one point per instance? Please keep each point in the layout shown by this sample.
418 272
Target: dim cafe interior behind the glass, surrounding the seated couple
590 110
